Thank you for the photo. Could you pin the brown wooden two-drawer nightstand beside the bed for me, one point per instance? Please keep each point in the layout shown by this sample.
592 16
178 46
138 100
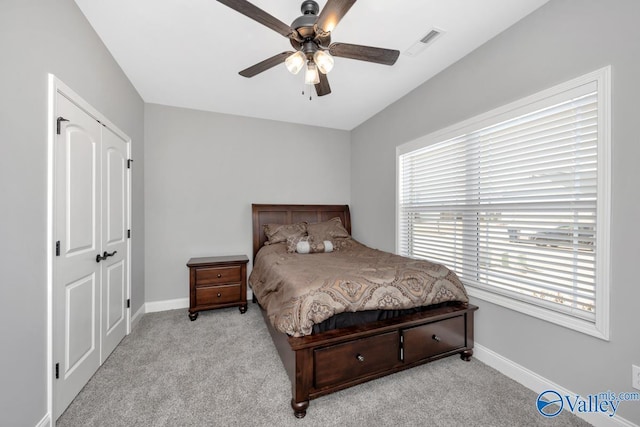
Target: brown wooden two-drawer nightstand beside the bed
217 282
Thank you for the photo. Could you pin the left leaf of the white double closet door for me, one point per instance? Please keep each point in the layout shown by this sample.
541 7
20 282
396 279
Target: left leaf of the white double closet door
76 272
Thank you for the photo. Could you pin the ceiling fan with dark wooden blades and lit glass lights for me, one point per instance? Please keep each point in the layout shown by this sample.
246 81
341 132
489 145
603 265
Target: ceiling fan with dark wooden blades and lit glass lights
310 36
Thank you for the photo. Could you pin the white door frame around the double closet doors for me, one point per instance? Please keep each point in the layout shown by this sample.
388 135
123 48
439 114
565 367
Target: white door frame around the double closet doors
55 88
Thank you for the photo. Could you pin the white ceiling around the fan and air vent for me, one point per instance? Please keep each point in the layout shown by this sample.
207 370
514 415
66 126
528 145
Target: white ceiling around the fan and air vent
188 53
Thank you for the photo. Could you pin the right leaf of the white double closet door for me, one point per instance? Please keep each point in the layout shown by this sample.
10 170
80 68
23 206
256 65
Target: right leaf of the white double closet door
114 241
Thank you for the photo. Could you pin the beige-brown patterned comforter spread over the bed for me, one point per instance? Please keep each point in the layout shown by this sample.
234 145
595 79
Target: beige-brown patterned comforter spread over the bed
300 290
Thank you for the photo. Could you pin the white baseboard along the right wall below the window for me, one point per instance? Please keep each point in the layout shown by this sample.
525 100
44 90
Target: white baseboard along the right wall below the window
538 384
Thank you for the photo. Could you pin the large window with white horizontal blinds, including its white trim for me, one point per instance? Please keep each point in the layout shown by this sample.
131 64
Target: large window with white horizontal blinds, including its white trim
516 201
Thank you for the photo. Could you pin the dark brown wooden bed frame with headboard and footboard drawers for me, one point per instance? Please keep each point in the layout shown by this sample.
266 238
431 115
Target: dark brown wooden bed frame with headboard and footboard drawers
323 363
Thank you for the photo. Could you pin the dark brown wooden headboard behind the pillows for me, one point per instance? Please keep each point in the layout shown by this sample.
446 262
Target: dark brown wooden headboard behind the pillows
290 214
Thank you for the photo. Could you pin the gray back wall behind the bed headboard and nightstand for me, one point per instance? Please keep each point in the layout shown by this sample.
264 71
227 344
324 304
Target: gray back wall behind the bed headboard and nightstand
203 170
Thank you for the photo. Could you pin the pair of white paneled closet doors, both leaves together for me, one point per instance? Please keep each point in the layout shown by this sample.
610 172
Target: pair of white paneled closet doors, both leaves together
91 271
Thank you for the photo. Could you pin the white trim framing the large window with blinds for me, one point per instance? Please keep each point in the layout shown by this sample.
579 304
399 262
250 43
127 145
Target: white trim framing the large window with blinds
602 77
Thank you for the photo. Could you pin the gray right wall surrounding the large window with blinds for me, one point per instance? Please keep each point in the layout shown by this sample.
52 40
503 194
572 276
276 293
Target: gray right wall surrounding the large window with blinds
562 40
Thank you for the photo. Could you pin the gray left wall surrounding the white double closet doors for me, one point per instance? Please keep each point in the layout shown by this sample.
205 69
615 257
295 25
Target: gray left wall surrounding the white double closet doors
39 37
